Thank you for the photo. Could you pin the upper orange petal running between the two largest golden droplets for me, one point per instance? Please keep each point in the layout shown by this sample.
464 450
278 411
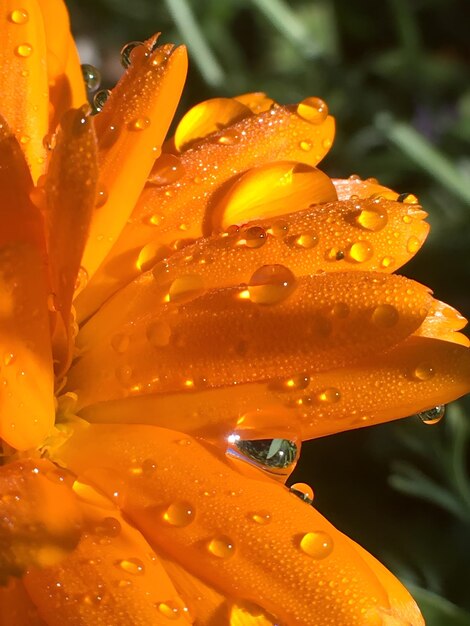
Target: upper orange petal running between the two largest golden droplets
175 207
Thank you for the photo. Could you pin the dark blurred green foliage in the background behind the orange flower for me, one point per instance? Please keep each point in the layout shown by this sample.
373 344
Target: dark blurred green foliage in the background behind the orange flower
396 76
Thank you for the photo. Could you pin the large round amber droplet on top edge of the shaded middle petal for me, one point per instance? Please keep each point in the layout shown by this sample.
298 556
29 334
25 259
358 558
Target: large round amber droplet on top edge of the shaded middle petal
271 284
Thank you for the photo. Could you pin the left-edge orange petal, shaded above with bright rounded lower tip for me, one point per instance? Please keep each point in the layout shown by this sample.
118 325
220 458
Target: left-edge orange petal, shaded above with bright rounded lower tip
26 401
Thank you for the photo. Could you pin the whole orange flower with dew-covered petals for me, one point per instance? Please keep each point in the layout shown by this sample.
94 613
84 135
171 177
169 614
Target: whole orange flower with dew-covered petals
229 300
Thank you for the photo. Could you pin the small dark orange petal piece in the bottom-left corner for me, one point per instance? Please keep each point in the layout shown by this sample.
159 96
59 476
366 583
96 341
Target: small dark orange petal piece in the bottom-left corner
16 607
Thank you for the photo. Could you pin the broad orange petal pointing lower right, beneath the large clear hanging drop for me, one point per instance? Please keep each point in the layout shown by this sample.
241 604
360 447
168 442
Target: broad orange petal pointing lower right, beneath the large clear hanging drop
252 540
